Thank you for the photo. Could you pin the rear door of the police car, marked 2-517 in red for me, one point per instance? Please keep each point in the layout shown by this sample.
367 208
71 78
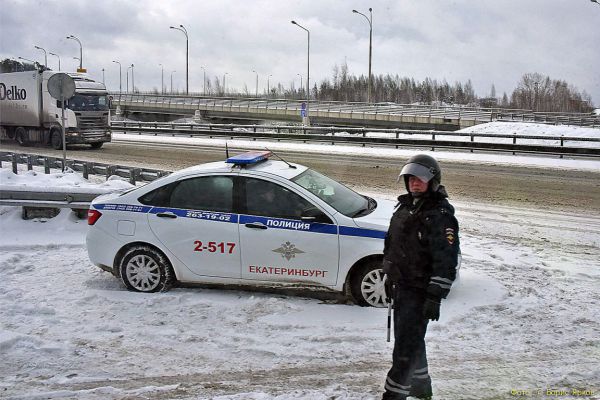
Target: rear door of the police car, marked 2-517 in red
199 227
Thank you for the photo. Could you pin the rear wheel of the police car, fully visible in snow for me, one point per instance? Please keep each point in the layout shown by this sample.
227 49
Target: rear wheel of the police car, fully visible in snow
144 269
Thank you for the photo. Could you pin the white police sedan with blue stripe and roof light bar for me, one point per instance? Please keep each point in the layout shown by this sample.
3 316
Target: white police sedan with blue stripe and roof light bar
248 220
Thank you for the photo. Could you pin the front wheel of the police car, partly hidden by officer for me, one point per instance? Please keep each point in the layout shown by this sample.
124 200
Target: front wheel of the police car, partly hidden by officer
367 285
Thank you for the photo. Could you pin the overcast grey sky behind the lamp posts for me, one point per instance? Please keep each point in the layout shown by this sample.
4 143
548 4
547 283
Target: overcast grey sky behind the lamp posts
487 41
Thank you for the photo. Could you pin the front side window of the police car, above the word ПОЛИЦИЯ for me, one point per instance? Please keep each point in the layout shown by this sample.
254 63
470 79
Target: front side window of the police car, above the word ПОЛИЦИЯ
271 200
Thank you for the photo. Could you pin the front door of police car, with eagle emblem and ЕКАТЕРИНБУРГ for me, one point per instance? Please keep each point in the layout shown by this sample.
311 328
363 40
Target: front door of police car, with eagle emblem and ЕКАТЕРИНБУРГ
284 237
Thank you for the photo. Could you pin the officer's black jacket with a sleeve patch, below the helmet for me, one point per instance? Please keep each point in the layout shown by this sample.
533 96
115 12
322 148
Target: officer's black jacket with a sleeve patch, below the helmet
422 245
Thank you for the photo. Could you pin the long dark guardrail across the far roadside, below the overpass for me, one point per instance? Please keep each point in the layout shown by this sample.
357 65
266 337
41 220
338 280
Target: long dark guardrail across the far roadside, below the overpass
558 145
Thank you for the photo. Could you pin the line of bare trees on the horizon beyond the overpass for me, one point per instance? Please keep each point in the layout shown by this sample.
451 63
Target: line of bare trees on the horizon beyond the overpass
534 91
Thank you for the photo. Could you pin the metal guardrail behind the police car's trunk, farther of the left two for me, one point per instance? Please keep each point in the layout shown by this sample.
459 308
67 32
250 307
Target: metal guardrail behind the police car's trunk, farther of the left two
87 168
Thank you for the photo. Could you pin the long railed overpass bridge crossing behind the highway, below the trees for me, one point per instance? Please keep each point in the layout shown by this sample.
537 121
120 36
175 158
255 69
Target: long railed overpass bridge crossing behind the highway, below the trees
385 115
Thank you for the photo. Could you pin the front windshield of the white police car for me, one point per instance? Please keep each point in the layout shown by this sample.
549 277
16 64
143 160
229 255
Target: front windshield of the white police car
338 196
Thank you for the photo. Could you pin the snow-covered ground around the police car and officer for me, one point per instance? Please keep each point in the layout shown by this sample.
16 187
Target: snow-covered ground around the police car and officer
524 317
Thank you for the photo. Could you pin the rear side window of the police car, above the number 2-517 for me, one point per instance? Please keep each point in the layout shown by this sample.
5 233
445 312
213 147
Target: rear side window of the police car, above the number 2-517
210 193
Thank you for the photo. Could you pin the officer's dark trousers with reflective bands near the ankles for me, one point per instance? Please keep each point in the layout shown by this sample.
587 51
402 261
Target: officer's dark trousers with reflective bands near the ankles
409 374
